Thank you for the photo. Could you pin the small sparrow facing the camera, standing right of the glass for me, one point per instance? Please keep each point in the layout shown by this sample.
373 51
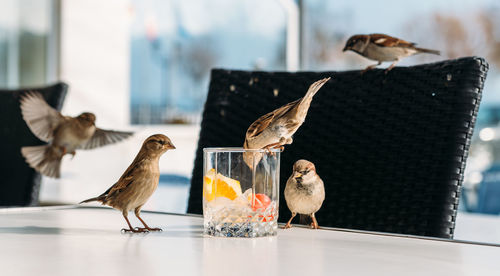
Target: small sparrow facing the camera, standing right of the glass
304 192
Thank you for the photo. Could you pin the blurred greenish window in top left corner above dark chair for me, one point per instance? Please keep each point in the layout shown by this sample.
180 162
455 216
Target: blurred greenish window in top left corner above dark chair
28 51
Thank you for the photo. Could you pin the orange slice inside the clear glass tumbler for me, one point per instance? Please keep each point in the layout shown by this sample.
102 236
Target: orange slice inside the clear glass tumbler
224 186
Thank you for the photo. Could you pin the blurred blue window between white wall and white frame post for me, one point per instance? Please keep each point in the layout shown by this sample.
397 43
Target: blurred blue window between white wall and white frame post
175 44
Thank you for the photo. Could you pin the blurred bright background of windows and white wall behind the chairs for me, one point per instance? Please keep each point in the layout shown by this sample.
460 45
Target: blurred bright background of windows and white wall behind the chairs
145 66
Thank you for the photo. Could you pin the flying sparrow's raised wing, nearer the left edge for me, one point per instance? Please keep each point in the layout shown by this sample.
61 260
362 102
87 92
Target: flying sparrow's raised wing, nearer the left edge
40 117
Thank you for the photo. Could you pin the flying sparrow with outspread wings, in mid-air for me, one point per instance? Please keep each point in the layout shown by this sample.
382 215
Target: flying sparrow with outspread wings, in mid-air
64 134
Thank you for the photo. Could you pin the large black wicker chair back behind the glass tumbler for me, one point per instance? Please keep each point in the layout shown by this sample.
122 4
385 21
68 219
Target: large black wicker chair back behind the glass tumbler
391 149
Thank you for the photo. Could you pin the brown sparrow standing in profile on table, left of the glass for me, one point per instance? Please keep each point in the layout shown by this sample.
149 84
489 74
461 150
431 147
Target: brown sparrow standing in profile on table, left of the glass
138 182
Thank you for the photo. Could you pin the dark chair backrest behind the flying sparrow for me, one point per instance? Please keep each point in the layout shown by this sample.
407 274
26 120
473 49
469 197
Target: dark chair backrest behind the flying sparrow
19 183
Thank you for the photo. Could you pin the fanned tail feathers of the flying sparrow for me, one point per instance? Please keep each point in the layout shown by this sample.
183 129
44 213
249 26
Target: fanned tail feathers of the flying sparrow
44 159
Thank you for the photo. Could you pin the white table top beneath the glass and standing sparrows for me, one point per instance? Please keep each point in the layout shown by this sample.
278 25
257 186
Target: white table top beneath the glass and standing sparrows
88 241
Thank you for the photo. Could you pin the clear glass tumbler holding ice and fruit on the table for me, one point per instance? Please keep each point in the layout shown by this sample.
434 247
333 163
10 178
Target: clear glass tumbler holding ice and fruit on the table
238 200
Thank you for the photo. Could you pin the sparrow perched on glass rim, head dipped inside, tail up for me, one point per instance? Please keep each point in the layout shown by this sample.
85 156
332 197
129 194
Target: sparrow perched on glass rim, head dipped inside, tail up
275 129
